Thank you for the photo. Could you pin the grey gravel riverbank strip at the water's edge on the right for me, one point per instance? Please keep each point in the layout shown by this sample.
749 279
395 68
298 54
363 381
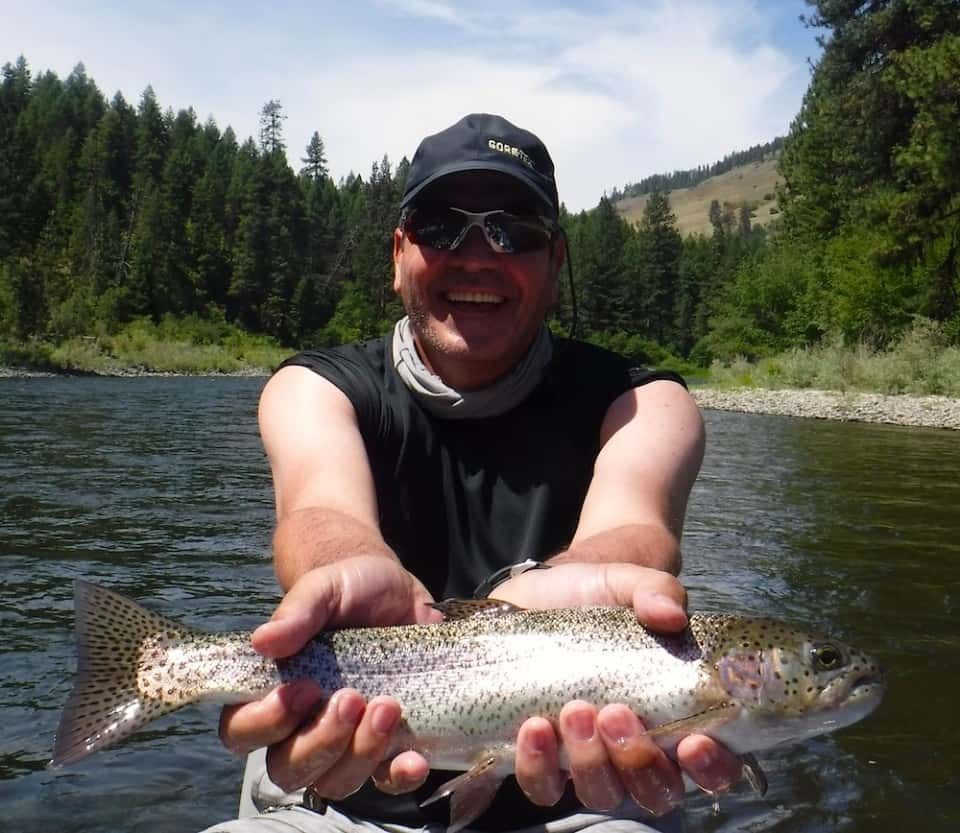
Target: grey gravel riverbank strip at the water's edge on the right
917 411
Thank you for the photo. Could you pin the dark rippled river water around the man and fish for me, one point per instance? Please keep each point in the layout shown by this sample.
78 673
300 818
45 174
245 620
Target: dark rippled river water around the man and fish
158 487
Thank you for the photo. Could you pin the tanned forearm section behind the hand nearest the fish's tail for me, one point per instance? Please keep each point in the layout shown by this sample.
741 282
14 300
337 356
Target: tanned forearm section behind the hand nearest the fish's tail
312 537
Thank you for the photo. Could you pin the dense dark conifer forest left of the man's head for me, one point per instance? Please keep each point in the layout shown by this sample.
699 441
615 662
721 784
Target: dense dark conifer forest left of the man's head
109 212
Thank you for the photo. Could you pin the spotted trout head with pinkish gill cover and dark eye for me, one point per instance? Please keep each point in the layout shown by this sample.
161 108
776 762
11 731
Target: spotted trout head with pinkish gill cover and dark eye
791 684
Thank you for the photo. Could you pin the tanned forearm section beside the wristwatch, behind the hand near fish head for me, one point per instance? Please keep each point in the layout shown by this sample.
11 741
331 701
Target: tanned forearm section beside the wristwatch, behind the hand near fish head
644 544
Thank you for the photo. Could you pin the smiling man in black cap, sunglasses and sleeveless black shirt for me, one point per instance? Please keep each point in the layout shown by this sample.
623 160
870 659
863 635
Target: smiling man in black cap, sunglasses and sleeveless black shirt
414 467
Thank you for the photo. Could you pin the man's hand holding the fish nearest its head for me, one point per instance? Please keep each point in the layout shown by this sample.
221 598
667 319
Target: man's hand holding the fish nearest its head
610 755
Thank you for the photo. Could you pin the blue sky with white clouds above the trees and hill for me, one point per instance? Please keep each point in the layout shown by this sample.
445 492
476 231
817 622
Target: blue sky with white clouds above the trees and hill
617 90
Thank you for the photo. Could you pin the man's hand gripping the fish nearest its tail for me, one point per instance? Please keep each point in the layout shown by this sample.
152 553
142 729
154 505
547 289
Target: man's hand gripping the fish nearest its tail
338 744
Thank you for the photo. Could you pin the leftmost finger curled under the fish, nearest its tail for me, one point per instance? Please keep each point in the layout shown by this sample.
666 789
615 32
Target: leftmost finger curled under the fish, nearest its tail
269 720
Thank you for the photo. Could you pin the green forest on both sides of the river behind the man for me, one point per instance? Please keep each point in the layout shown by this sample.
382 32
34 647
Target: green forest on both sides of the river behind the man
111 212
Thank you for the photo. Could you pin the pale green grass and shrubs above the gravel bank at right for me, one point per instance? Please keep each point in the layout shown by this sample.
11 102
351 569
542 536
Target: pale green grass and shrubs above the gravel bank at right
921 363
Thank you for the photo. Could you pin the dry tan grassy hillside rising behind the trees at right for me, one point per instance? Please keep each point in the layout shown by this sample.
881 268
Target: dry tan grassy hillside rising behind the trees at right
753 183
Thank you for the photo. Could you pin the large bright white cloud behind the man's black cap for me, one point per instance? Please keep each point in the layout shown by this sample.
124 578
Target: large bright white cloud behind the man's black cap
619 97
